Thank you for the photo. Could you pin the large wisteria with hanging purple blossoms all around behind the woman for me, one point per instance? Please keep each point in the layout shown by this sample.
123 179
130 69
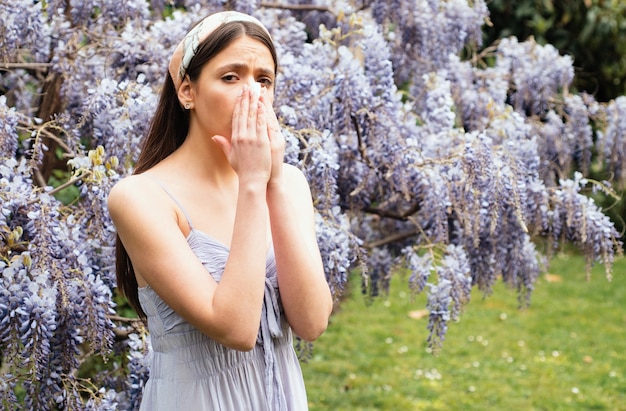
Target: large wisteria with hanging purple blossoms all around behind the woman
417 157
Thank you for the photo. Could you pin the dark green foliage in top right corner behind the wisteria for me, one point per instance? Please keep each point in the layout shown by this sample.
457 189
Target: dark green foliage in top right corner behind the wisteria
593 32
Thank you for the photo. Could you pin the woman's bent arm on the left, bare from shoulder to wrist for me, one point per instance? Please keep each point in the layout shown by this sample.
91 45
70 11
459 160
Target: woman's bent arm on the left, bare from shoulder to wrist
148 225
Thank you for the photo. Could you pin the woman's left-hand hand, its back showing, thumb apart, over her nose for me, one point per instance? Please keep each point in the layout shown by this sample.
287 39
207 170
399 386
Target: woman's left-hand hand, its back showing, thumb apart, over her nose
248 150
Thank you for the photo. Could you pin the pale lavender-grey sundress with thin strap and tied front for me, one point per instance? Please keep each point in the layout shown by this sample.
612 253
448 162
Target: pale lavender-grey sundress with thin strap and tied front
190 371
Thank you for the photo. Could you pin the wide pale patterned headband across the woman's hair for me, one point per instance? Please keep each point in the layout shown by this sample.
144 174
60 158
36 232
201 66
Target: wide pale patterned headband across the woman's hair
187 48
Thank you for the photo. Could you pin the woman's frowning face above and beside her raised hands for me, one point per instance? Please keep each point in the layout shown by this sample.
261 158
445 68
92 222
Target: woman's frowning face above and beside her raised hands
244 61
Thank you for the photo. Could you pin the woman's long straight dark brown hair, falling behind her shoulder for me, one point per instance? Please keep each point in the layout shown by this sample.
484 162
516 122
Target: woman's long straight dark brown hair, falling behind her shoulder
169 128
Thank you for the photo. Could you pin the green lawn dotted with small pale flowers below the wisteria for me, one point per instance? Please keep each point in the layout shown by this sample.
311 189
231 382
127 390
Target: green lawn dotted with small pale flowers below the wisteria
567 351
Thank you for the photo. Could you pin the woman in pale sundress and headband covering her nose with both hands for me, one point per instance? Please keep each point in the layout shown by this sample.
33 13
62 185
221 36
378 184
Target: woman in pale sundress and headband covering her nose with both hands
217 247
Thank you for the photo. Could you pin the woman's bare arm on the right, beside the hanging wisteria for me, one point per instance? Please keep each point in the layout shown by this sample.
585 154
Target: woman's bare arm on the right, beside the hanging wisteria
304 291
